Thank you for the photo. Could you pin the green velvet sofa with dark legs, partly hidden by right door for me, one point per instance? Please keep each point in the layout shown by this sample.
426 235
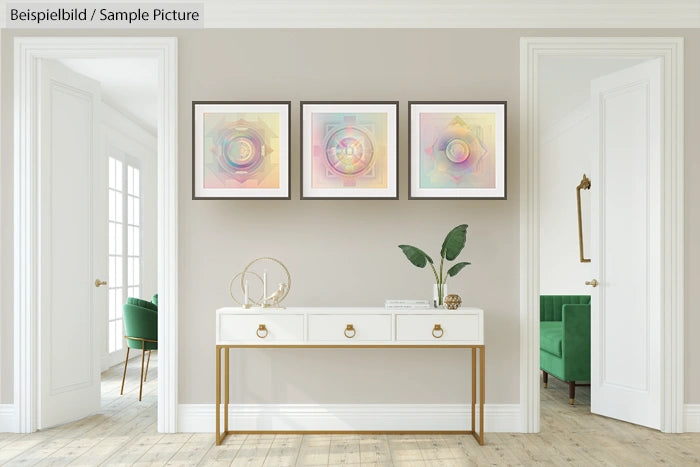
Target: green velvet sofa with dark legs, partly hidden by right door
565 339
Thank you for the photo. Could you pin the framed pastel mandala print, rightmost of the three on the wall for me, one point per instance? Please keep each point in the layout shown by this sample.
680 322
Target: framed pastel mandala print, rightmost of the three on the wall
457 150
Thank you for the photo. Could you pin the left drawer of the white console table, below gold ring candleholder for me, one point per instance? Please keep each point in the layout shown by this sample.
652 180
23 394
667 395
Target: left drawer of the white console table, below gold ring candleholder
260 328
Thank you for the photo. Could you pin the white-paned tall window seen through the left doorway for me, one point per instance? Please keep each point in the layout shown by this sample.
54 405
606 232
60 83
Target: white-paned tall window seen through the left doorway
124 244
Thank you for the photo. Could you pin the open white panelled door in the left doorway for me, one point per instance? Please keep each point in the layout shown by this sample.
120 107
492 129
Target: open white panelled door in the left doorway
73 228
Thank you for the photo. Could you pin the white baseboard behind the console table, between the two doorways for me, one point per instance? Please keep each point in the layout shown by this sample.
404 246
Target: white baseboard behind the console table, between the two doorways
200 418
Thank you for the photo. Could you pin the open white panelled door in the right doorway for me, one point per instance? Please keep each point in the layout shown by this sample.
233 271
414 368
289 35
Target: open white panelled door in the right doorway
626 245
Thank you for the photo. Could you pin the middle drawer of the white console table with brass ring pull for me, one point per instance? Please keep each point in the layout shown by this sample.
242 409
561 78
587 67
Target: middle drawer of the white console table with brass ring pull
350 328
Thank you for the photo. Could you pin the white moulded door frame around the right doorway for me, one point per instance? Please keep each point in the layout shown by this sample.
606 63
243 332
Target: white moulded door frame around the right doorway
670 51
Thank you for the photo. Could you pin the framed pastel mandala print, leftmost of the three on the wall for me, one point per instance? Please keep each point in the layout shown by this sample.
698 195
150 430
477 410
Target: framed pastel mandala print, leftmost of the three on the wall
240 150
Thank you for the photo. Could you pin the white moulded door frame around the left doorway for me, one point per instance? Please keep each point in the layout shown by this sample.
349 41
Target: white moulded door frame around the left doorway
27 167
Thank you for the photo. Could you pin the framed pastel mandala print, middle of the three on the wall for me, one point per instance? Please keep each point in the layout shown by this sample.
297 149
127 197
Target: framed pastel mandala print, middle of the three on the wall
349 150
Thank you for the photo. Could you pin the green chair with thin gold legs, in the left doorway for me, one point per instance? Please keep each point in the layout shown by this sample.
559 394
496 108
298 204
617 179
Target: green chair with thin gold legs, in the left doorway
141 327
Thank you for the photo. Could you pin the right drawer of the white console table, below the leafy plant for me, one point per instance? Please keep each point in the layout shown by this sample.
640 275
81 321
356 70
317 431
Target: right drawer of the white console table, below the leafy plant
439 328
